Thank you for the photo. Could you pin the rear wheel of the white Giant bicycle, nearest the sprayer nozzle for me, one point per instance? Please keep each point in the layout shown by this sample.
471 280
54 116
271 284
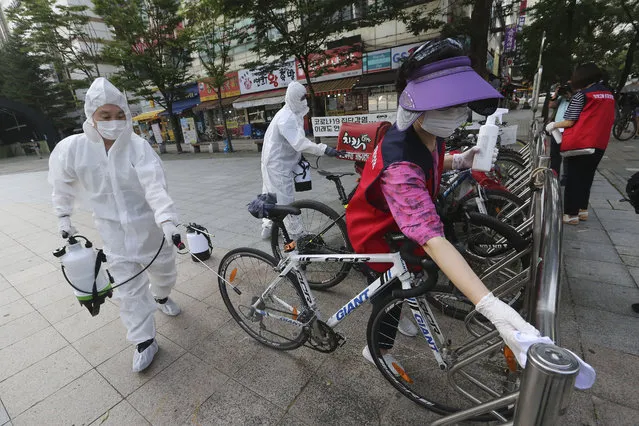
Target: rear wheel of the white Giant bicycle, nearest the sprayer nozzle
252 271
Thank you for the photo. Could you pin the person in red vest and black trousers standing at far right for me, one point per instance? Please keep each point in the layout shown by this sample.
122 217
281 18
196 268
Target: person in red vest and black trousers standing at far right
587 123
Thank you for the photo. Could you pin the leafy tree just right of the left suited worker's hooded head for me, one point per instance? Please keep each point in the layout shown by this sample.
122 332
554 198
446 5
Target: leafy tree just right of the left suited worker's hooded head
152 49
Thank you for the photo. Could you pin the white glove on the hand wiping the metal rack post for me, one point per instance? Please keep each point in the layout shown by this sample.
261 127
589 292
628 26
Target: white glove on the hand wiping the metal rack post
505 319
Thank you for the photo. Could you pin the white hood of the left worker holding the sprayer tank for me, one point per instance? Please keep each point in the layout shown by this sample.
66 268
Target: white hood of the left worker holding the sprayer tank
103 92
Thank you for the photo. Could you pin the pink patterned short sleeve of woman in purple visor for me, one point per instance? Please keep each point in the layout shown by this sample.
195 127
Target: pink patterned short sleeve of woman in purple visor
404 187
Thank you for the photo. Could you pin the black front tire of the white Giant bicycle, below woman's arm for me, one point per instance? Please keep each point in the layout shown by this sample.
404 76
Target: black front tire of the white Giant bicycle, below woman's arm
420 378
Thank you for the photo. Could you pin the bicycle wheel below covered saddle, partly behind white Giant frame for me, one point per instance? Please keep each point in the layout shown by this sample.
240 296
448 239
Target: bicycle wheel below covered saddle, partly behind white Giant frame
324 232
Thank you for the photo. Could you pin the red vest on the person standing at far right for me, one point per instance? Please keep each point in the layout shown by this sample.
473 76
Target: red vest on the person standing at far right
592 130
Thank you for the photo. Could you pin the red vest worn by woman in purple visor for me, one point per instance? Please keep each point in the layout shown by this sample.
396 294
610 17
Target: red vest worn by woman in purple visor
368 218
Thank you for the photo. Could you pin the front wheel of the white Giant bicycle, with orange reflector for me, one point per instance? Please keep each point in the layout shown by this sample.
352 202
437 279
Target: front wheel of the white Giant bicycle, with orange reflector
414 371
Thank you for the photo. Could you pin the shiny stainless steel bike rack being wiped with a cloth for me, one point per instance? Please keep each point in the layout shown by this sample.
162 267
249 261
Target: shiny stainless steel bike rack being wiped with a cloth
548 379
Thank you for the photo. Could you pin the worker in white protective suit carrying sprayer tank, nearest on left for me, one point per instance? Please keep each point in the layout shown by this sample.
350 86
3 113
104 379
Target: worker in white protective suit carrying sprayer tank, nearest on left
127 191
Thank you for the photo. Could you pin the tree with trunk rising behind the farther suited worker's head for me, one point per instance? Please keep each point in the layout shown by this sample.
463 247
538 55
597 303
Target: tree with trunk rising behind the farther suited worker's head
301 29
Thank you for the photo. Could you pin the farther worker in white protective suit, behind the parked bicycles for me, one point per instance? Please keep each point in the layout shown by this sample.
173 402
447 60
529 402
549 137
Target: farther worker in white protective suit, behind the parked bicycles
284 143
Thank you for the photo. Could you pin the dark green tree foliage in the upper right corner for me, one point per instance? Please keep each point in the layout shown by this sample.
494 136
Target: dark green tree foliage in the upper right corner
578 32
